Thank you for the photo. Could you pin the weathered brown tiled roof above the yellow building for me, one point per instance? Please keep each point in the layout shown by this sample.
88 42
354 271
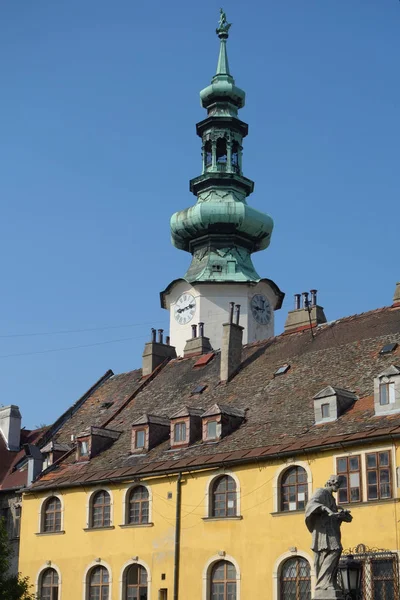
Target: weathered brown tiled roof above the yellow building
279 410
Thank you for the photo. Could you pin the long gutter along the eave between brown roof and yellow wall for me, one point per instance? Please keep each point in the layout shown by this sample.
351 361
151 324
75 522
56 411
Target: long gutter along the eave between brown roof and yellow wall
217 465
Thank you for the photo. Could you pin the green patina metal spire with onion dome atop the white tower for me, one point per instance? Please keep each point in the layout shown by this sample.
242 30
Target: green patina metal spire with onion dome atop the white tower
221 231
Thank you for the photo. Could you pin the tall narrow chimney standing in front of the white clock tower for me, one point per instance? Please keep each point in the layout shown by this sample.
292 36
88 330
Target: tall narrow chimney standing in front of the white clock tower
231 349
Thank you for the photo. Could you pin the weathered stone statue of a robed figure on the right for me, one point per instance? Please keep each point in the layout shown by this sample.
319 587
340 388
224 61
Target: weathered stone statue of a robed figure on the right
323 520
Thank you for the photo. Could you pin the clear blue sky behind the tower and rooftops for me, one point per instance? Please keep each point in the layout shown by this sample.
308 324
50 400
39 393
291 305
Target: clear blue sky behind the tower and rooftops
98 107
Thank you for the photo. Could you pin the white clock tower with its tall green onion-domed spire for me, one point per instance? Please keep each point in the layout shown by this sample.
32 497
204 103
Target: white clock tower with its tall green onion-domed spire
221 231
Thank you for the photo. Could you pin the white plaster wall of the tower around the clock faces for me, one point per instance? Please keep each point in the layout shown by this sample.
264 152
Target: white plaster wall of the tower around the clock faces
212 308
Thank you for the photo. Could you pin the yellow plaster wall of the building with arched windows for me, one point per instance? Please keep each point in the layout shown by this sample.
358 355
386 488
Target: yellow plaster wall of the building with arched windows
258 541
